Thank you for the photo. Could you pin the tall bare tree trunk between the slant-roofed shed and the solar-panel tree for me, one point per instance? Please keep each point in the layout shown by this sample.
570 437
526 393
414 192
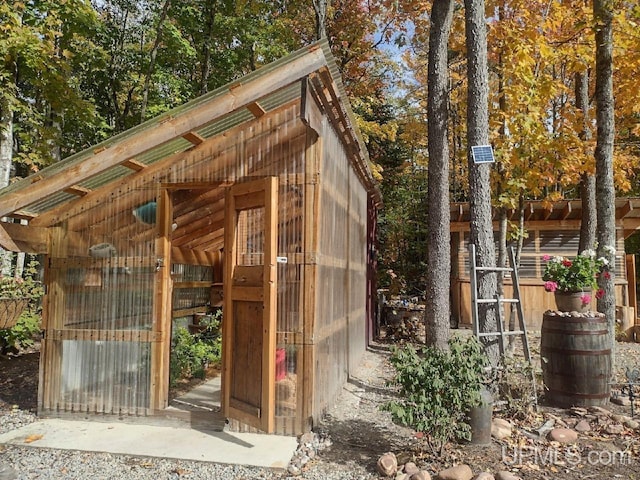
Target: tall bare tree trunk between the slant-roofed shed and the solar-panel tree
438 309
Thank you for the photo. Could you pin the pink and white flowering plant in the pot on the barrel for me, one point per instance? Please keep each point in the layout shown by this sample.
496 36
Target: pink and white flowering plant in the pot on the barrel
577 275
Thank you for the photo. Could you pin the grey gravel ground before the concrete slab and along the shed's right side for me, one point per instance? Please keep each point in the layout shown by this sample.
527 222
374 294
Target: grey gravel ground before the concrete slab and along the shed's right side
357 430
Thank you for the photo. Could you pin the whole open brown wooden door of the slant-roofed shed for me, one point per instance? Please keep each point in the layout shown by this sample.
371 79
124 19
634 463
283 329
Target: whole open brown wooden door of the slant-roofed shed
249 329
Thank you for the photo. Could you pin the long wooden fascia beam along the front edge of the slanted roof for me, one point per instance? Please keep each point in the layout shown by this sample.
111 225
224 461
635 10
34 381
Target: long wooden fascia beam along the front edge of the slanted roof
201 112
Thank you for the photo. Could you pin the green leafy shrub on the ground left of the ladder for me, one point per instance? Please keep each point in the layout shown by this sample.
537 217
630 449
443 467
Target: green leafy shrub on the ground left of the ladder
437 389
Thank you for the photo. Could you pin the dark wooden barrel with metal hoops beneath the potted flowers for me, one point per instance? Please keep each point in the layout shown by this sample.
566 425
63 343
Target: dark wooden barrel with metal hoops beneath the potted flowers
575 352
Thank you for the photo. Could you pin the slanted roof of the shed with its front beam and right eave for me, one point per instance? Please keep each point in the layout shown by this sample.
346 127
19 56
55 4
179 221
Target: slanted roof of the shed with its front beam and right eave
45 190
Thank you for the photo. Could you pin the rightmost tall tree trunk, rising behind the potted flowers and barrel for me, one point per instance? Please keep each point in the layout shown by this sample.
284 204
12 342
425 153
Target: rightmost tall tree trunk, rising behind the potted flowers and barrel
605 190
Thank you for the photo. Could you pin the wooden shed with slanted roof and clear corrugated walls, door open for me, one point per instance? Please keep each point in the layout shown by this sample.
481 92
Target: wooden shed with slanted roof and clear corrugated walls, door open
256 198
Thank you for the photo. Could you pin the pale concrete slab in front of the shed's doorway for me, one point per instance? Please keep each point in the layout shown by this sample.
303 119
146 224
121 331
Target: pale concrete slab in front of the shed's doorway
260 450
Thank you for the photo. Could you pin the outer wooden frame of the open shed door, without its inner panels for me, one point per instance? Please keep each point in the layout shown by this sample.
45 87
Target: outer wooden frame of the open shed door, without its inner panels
242 196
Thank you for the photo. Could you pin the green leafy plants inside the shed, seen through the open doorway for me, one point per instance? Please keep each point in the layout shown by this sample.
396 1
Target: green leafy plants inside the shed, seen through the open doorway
191 354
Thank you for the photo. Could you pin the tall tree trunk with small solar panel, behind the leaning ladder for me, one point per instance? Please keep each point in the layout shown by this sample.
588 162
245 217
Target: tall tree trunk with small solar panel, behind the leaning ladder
479 182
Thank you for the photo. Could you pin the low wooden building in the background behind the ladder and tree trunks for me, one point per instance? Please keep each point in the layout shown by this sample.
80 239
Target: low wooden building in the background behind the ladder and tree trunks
552 229
